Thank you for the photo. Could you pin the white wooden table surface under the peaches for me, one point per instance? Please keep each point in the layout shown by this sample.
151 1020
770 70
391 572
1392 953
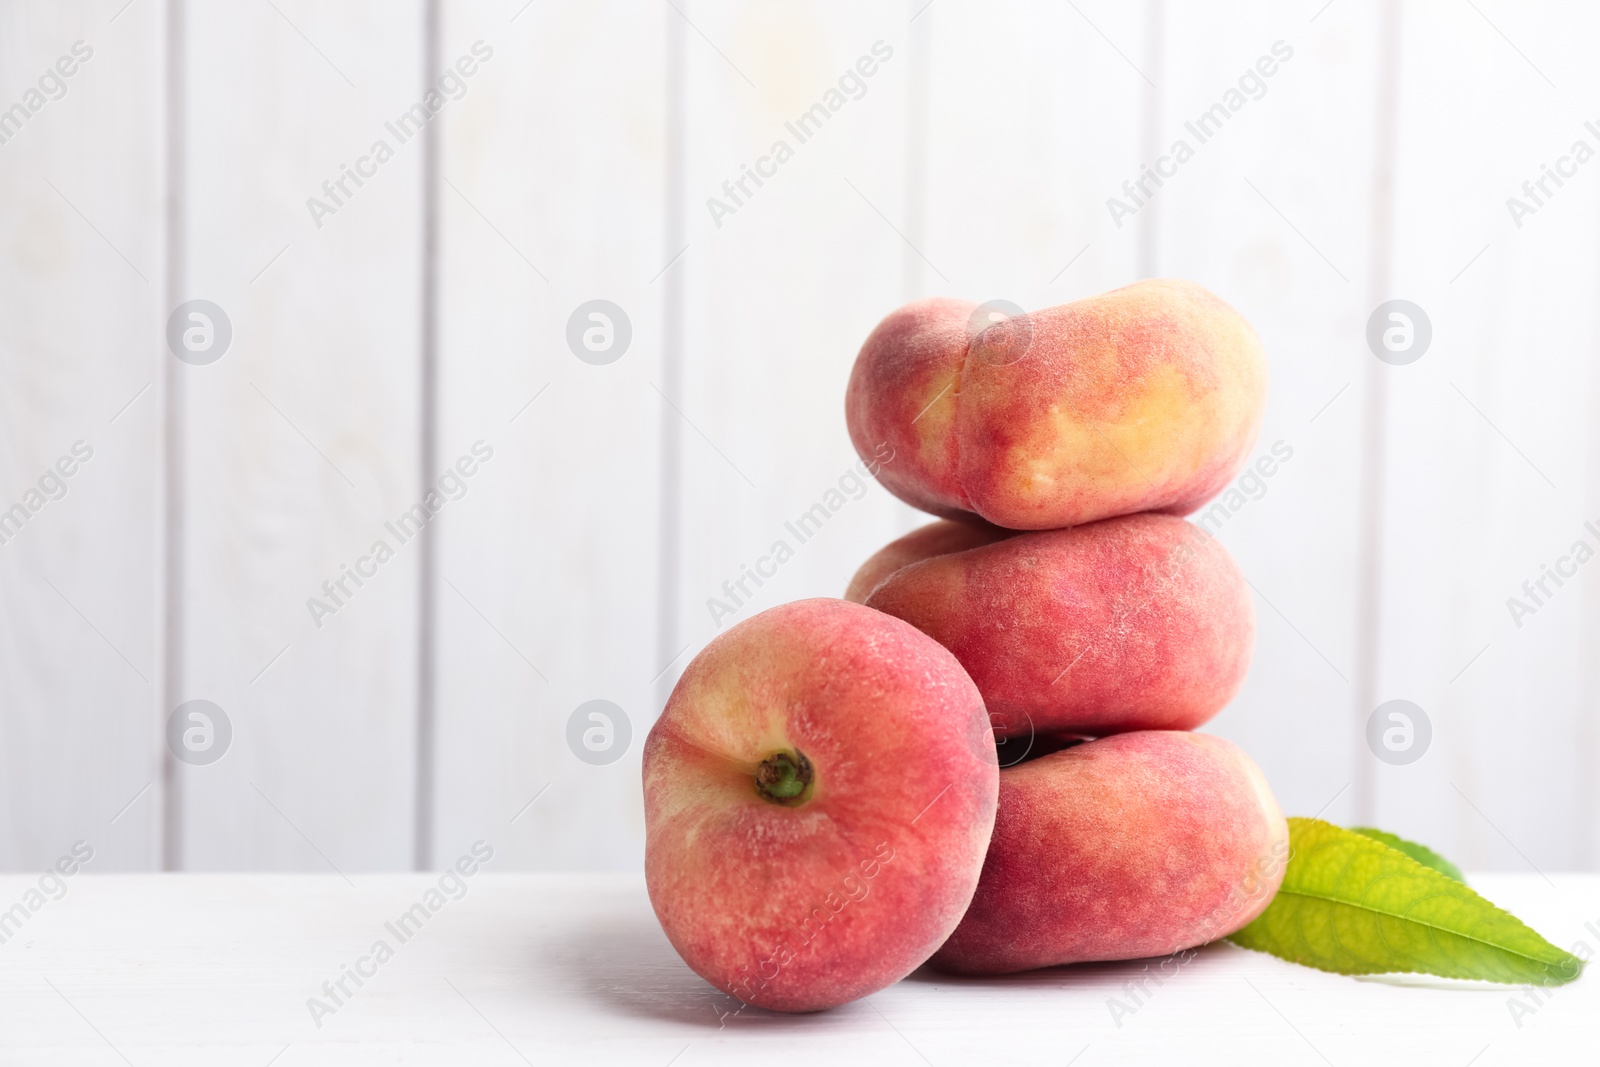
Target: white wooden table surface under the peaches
172 970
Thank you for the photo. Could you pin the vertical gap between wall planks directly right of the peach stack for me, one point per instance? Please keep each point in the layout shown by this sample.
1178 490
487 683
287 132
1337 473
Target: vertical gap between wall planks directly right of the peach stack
1375 434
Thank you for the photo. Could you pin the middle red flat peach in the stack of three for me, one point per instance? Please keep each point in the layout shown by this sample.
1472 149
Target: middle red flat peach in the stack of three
1134 623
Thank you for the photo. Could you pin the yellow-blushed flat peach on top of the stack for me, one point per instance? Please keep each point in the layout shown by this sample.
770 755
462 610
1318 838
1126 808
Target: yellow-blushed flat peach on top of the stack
1145 399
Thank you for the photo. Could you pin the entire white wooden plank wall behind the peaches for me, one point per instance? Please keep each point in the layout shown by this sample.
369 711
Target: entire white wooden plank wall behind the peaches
585 159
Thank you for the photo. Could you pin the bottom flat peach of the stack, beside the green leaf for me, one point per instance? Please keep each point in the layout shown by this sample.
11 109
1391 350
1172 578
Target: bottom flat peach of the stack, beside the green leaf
1130 847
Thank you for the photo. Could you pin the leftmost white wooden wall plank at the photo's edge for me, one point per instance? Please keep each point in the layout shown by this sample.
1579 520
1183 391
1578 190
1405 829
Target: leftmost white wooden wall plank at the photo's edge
81 361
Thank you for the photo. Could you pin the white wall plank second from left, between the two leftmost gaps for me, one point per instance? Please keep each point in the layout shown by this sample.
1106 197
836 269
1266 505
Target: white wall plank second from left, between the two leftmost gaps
303 439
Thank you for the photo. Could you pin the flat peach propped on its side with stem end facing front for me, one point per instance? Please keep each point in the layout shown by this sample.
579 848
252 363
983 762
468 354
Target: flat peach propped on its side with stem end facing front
818 801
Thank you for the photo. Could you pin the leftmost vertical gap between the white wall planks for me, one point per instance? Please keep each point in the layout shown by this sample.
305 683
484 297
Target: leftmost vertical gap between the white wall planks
174 621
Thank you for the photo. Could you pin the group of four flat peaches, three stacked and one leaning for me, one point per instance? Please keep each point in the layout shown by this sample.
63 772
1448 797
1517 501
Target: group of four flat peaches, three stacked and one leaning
983 759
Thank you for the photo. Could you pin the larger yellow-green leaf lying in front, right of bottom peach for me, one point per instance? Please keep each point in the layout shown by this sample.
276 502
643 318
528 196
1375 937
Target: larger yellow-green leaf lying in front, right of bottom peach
1354 906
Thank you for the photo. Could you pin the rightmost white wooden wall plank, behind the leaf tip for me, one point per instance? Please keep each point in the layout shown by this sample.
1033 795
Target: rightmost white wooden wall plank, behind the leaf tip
1492 465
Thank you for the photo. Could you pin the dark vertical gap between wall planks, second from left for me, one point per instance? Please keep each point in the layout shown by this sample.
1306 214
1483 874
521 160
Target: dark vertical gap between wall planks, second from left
428 449
